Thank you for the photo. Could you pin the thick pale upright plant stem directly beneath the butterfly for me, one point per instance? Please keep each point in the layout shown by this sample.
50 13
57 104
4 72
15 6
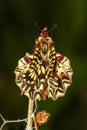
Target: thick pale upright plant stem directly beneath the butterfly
30 114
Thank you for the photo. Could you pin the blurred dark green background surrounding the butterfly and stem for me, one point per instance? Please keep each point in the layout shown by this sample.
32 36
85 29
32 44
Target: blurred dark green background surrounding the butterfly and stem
17 35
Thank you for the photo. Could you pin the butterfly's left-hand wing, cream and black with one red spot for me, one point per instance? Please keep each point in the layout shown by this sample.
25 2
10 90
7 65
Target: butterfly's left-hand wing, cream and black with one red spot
26 76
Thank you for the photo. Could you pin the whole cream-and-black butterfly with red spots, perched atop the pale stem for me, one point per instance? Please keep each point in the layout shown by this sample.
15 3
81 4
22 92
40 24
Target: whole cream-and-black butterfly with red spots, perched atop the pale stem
44 73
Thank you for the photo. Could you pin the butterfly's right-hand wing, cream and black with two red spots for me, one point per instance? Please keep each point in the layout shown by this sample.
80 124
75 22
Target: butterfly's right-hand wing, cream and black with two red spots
60 78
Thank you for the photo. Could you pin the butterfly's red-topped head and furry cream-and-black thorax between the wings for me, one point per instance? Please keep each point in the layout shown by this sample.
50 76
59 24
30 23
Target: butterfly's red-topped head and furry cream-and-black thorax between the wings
44 45
